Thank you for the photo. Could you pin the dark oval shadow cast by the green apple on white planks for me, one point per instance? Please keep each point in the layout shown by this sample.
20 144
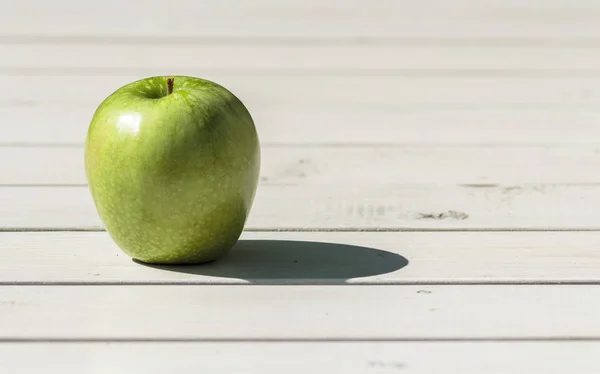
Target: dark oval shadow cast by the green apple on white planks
295 262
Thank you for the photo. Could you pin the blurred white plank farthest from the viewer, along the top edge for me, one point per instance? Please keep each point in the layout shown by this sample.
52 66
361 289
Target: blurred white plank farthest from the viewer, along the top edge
330 18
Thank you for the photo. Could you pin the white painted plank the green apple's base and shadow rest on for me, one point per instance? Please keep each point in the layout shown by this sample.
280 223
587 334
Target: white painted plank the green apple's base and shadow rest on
315 258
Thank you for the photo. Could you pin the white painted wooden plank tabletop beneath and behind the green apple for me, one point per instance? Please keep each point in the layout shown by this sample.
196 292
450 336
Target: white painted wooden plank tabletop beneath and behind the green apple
429 198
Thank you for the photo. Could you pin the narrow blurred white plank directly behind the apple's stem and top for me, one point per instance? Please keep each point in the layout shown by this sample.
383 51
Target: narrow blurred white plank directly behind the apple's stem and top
261 90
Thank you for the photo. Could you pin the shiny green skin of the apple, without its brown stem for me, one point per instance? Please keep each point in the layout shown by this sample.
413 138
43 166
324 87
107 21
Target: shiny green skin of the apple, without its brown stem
173 176
